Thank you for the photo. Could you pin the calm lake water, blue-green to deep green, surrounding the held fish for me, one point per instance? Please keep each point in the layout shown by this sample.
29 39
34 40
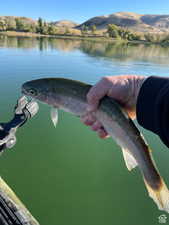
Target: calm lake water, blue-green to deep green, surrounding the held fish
67 175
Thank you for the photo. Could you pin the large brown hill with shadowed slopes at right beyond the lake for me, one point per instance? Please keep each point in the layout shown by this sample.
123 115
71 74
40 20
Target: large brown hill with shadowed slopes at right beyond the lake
137 22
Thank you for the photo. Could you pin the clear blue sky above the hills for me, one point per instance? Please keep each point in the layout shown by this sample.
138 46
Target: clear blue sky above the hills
79 11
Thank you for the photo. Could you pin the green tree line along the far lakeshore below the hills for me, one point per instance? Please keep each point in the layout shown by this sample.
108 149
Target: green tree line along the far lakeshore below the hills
23 24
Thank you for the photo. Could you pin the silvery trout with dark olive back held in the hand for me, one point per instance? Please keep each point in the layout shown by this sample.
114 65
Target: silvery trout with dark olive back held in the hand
70 96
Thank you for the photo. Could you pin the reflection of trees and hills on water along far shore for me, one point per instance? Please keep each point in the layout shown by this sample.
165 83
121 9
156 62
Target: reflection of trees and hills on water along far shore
106 50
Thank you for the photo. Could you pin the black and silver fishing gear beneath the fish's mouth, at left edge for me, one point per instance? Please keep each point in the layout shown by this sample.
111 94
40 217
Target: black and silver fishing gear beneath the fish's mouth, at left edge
23 111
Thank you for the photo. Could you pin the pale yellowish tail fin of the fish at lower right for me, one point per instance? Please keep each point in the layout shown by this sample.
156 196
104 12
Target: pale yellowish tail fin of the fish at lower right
160 195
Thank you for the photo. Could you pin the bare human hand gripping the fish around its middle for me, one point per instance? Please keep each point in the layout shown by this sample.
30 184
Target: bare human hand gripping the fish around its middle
123 88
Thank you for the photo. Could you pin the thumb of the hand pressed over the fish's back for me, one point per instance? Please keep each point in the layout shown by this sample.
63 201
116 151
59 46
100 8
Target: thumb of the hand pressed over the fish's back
97 92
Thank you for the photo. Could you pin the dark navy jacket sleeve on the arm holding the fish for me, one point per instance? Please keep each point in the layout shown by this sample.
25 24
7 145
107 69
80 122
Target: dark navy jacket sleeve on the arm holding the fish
152 109
